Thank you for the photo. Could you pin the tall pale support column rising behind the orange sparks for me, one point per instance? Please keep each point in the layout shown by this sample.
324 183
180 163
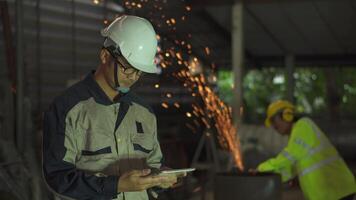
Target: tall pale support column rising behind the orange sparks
237 60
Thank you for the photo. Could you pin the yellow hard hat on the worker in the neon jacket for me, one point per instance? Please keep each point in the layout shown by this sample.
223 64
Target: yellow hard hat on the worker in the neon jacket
278 106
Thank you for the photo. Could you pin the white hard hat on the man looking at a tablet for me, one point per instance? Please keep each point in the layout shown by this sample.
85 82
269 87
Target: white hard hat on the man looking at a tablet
136 39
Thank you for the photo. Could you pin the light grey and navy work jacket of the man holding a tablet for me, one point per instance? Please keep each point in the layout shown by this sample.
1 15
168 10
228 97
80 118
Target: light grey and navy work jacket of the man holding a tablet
89 141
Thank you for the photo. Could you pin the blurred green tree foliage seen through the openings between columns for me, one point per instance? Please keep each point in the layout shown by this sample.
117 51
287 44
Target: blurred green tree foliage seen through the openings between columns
268 84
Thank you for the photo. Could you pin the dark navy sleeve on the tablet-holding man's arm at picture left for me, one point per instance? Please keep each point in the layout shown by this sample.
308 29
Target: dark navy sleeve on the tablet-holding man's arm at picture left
59 170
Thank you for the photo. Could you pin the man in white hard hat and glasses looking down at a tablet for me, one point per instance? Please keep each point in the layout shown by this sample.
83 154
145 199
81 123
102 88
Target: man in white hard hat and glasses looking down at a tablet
100 139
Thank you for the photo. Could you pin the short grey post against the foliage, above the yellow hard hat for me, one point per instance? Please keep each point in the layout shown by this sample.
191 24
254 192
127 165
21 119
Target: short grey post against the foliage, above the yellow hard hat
290 68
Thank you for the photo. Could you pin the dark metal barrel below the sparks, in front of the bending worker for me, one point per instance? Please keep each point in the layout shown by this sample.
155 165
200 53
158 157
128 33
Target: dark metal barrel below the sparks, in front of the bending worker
247 186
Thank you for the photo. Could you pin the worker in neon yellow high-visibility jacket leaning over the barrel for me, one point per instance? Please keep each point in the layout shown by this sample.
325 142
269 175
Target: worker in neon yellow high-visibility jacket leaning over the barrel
322 173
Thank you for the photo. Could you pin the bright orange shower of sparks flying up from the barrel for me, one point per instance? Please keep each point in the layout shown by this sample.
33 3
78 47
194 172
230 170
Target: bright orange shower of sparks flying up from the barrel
213 112
